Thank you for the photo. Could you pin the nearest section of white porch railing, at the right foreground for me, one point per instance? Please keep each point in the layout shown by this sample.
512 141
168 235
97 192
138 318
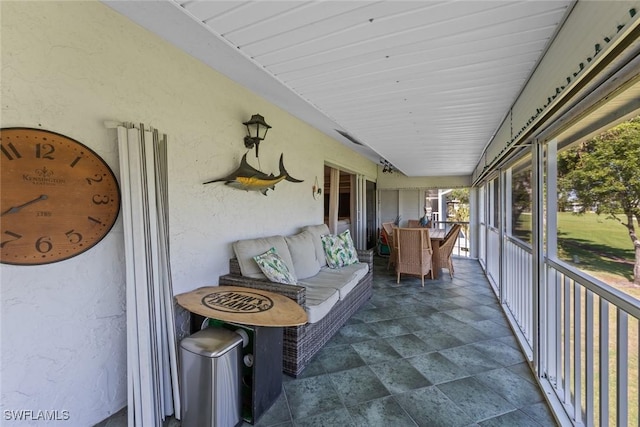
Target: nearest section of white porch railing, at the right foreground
591 347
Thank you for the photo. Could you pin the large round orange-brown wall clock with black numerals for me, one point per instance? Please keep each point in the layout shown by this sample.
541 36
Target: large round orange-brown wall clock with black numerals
57 197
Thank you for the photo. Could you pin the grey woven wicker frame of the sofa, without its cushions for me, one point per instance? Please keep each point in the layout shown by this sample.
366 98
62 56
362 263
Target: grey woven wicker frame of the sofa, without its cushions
301 343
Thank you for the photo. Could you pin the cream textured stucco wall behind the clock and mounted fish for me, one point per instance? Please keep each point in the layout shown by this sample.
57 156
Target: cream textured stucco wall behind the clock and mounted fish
68 67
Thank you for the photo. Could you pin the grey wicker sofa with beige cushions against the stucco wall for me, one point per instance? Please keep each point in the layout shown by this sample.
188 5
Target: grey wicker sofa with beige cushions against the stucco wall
330 296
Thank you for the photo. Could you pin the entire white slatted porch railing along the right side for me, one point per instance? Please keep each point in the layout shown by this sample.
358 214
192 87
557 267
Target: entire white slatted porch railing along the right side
588 335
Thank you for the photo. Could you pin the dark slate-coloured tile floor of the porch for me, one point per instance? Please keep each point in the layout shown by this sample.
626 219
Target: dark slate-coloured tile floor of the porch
442 355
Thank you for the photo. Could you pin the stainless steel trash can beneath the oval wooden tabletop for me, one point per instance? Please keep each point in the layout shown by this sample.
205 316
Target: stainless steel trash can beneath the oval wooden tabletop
210 377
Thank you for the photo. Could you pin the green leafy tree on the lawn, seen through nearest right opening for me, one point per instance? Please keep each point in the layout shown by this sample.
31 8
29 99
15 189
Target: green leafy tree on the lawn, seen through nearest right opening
602 175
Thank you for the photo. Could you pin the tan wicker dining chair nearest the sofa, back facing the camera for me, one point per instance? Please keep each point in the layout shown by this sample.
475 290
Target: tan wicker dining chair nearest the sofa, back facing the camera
414 252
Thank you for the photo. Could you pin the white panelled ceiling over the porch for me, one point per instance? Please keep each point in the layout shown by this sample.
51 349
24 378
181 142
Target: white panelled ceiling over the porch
423 84
